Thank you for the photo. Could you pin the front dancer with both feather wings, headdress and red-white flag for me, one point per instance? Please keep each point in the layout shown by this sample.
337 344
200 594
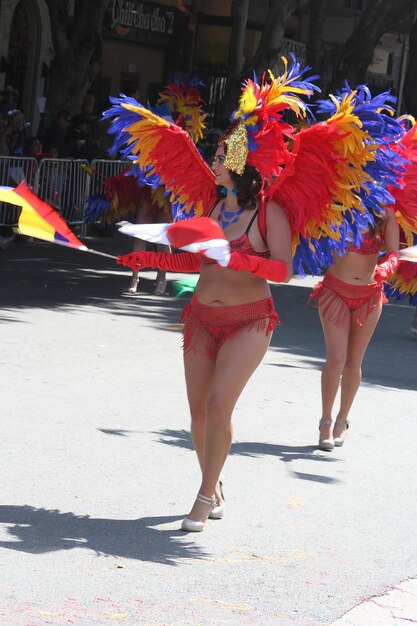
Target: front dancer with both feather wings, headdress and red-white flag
229 322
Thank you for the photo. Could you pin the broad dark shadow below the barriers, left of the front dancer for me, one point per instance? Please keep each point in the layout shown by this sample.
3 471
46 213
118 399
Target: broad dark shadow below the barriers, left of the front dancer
38 274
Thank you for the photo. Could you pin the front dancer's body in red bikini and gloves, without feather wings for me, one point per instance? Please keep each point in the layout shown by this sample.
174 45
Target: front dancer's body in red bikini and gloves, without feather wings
229 323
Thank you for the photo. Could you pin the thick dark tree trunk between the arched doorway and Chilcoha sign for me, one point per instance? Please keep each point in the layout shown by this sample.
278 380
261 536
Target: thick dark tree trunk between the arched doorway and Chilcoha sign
77 43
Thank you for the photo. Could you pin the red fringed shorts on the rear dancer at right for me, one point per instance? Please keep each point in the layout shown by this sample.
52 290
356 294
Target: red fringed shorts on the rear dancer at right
339 302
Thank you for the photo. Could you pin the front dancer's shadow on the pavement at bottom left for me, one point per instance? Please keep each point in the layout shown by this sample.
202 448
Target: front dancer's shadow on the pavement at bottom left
38 531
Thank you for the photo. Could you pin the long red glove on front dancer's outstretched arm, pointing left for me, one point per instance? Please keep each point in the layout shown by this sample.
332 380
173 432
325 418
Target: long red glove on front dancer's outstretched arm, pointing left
182 262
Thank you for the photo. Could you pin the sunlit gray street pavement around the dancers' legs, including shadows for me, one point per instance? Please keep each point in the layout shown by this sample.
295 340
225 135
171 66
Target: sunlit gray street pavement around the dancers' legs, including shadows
97 467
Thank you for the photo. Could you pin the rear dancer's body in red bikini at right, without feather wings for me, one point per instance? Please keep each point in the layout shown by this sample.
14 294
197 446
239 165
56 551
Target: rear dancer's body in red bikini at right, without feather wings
350 299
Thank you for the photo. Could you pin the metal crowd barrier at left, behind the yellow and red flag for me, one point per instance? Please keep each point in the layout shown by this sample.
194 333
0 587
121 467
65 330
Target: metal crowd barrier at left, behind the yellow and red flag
65 184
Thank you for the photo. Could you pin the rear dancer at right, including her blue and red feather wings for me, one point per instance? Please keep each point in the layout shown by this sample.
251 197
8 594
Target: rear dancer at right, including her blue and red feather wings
351 295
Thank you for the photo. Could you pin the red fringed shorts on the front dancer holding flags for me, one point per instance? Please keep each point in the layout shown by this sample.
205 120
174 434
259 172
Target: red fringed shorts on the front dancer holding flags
213 325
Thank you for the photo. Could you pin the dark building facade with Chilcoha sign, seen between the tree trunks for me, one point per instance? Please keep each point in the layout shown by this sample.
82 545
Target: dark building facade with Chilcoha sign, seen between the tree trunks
144 43
